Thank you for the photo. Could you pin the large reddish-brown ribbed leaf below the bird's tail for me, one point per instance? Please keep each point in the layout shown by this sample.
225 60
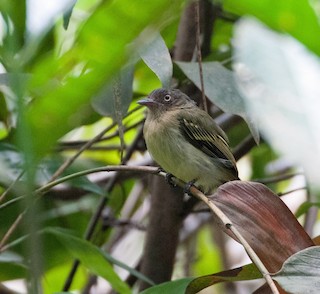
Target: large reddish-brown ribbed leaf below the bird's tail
264 221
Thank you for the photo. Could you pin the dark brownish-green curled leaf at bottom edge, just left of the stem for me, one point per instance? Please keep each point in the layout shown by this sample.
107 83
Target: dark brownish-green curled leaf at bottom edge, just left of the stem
247 272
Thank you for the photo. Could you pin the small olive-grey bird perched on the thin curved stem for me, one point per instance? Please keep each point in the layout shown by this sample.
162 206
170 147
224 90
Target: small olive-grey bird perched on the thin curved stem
186 142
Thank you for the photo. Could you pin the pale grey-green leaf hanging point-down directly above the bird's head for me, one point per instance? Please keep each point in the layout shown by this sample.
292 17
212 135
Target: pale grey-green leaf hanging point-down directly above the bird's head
156 56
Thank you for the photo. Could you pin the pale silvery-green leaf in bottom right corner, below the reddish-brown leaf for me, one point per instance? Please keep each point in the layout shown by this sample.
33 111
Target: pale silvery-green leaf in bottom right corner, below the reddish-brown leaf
300 272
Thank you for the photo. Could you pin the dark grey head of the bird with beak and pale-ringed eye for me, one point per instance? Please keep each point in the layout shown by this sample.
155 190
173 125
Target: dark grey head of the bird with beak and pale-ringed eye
162 100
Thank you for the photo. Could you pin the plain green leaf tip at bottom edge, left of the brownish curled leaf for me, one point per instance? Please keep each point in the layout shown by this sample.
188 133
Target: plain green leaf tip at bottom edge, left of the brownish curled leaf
173 287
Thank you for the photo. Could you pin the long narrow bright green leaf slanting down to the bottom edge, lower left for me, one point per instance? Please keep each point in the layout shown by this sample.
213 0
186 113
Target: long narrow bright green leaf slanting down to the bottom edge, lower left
90 256
